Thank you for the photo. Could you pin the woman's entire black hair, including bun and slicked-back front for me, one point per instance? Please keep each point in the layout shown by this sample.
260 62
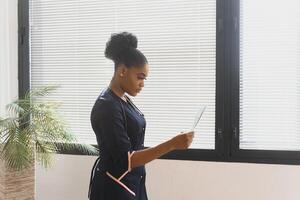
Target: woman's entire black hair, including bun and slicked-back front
121 48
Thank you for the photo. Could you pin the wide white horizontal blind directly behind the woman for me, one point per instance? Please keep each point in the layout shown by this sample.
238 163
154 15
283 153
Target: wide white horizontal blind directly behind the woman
178 38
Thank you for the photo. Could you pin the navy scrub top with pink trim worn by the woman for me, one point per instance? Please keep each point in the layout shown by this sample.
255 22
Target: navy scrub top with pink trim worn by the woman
120 129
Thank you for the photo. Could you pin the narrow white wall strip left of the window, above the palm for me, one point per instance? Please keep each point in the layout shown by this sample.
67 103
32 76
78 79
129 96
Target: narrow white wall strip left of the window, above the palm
8 53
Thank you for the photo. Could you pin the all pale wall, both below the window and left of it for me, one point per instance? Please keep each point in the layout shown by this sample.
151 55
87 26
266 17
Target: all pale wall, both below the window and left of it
167 179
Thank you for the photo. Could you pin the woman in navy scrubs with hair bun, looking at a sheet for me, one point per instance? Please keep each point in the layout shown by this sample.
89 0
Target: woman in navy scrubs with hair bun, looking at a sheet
119 172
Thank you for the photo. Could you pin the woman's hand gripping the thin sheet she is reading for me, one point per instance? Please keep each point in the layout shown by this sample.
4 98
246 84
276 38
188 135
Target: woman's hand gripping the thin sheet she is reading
182 140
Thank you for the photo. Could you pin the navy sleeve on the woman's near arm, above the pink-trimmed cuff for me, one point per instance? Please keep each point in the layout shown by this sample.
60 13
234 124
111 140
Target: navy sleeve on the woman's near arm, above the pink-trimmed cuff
110 124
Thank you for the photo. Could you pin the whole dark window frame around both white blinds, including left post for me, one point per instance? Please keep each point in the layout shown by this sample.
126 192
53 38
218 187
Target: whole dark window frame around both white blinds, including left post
227 92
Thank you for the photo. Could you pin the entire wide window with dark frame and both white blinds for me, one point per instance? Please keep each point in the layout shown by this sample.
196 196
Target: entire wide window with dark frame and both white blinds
240 61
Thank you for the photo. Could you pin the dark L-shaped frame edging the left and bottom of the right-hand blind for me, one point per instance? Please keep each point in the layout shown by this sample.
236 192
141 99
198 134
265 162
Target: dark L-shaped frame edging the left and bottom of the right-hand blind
237 154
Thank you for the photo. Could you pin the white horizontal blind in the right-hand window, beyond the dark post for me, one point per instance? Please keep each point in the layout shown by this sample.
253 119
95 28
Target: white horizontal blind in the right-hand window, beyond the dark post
270 75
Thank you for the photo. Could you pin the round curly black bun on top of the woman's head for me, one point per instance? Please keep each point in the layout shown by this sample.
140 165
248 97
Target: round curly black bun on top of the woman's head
118 43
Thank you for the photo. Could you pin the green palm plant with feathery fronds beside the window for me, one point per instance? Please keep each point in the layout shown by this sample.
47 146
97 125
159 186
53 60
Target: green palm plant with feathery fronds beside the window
33 131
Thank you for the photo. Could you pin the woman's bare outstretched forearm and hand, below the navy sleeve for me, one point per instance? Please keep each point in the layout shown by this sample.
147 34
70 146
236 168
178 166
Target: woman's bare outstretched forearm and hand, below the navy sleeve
181 141
